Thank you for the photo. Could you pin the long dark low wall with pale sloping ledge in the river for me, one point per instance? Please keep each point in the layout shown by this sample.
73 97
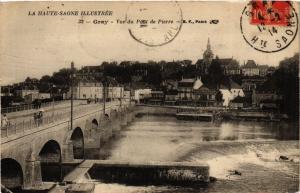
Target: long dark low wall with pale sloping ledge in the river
141 173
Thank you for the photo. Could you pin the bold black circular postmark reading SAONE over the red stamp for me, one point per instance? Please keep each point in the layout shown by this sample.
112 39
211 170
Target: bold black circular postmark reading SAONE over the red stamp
269 27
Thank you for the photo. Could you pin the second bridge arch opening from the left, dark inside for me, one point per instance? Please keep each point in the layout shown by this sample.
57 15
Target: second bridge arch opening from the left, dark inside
50 157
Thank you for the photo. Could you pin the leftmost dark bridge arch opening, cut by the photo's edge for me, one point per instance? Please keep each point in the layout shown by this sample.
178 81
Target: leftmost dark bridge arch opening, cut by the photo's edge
11 174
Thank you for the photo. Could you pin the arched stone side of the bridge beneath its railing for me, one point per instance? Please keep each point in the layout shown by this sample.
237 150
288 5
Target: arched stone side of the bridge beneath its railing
37 155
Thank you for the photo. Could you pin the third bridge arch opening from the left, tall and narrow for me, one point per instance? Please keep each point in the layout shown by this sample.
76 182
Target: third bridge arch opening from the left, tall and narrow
78 143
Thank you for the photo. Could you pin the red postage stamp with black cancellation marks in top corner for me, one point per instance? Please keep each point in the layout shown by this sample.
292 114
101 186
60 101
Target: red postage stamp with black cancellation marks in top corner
270 12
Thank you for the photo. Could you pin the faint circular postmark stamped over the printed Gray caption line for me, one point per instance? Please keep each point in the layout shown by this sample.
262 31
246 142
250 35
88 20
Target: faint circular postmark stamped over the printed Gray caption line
154 24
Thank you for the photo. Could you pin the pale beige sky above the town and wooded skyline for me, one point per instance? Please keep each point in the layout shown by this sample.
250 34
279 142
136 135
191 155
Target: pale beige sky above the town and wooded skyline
40 45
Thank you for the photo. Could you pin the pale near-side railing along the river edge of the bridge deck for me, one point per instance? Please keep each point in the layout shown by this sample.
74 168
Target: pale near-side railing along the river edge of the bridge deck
23 126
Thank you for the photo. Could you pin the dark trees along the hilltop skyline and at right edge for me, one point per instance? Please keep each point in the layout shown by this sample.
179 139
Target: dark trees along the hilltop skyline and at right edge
284 80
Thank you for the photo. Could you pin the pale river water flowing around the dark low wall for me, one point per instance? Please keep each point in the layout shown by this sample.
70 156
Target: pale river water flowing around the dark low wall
251 148
